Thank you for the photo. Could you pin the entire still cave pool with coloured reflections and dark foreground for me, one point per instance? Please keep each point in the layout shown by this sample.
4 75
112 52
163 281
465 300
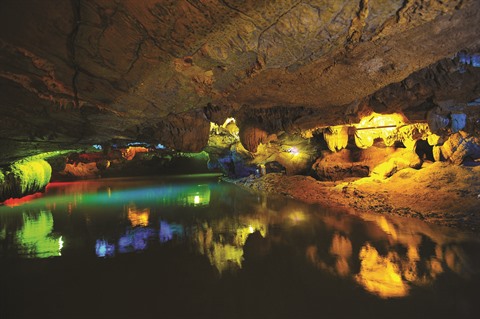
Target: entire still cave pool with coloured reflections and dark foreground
194 247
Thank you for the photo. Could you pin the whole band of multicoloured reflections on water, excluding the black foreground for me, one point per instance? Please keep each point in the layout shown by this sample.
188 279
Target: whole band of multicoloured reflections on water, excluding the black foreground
229 227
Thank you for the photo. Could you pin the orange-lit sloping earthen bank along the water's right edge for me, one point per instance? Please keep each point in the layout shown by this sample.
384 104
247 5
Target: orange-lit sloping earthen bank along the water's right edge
438 193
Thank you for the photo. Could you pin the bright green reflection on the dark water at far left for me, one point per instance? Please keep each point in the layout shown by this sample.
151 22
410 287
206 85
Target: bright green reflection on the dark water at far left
35 238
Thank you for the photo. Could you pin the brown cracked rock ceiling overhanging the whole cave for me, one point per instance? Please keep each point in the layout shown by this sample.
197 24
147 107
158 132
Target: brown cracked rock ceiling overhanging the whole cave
90 71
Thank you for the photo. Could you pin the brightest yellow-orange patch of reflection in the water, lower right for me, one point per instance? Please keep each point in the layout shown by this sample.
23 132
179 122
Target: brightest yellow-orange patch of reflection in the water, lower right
380 275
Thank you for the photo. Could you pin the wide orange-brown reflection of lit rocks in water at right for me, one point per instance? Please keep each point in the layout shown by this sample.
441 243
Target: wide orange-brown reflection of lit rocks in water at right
396 262
